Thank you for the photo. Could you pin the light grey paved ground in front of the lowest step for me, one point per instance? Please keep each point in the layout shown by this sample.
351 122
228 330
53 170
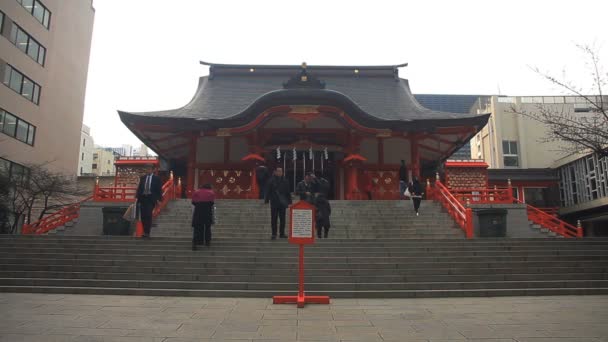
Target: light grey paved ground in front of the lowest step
53 318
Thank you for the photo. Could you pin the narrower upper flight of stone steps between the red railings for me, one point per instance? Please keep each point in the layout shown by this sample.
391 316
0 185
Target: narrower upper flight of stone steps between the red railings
349 219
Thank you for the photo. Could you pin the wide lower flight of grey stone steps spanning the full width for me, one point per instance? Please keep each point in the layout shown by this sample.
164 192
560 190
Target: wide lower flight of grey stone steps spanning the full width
238 267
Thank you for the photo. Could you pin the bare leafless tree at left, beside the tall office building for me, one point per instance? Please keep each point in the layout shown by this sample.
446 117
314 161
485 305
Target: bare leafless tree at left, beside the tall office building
39 192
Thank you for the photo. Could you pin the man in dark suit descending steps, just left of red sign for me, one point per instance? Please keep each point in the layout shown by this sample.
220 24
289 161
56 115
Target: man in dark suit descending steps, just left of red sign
277 193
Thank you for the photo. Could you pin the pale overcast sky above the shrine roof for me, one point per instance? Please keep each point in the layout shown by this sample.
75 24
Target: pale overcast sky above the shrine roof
145 53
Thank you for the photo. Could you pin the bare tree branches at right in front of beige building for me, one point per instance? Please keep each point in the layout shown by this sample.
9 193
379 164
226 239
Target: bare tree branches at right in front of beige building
580 131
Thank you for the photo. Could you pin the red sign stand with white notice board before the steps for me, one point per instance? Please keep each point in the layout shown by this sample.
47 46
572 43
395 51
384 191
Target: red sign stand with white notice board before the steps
301 299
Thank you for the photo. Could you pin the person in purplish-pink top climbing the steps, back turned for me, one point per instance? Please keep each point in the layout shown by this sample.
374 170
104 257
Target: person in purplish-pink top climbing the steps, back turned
203 200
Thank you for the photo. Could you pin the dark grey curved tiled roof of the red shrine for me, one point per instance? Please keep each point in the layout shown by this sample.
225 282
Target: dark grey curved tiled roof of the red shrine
229 92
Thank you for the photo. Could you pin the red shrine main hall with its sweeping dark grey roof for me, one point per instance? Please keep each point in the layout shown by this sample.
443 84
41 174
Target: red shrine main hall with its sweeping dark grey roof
353 124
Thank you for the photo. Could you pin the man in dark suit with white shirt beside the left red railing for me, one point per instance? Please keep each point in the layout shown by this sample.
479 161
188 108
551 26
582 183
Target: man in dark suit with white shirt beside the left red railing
149 193
